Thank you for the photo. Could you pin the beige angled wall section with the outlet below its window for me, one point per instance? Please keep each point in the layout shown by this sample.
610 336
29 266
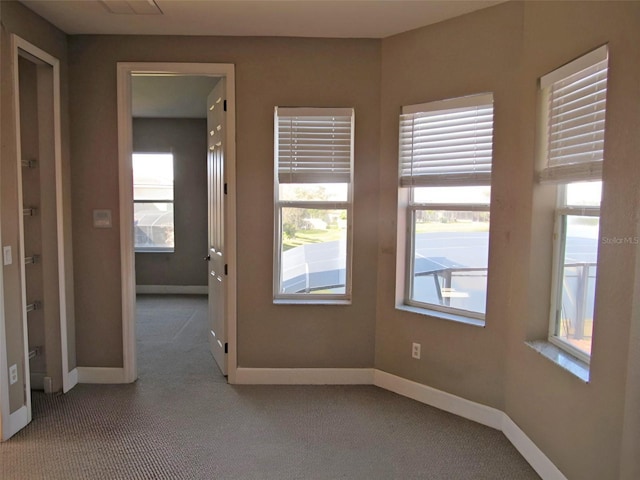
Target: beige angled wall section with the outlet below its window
473 54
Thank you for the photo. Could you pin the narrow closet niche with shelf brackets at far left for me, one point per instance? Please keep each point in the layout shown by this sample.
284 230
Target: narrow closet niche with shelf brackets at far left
38 229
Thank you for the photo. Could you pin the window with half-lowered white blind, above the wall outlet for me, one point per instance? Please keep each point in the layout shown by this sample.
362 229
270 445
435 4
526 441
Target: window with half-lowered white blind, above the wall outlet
445 183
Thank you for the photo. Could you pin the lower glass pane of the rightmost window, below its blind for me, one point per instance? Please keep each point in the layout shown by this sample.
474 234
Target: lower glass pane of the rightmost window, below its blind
575 319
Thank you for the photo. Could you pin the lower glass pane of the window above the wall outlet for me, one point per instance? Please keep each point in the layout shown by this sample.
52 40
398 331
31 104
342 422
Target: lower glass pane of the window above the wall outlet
451 258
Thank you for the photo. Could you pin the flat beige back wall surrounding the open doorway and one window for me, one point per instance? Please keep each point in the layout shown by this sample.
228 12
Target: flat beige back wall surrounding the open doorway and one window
269 72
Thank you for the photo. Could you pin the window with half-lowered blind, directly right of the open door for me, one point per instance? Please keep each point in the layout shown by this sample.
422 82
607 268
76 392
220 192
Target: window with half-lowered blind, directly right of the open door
313 198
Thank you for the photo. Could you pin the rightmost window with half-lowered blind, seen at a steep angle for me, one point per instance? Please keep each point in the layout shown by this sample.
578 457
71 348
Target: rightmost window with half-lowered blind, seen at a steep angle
574 105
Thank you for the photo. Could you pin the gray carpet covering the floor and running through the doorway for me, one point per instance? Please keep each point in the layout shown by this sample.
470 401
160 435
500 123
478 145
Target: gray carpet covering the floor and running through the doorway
181 420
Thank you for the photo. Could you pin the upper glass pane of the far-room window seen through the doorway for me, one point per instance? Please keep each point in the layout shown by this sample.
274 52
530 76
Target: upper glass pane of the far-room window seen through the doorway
152 176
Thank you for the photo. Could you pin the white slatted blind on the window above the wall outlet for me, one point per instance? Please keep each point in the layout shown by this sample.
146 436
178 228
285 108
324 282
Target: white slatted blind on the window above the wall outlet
448 143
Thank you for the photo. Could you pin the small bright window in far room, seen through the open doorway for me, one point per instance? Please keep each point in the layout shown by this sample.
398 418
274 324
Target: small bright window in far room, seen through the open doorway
153 202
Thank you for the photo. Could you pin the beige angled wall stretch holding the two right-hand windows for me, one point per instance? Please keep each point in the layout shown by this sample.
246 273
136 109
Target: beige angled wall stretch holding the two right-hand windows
505 50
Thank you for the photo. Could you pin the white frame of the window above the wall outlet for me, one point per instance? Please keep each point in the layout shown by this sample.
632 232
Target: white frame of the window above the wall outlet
407 229
